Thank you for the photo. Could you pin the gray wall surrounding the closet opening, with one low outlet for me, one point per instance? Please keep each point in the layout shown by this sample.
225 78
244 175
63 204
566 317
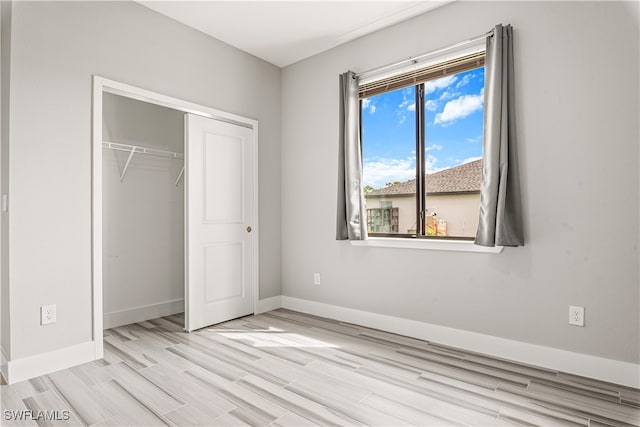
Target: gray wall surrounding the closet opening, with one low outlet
56 47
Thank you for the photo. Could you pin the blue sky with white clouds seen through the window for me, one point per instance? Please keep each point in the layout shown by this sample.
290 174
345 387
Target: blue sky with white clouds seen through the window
453 108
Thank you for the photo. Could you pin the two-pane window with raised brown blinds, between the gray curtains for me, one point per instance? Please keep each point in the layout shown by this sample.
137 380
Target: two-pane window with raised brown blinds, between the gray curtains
422 150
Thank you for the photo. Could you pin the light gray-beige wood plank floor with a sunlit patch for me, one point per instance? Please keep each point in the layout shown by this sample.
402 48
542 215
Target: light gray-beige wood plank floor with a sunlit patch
284 368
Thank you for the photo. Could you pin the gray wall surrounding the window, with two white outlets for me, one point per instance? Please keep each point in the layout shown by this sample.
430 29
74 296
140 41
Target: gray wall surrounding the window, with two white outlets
577 109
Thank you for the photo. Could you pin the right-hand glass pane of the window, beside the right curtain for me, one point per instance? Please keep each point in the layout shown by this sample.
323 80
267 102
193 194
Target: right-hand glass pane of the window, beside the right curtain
453 147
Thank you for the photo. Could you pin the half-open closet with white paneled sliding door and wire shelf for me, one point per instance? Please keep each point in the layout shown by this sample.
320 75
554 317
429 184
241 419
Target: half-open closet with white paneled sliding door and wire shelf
177 193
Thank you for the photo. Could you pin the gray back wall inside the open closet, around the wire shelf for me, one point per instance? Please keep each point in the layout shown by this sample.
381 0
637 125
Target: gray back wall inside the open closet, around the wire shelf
143 215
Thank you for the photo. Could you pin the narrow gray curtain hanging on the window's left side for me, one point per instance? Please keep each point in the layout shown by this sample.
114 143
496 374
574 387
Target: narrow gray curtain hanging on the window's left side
351 220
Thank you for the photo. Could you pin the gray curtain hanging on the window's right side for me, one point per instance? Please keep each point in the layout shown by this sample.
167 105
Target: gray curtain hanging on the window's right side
500 200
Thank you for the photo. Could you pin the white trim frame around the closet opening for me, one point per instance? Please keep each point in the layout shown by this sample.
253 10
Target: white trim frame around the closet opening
100 86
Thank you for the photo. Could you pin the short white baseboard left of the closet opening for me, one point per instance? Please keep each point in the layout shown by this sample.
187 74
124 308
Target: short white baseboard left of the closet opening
46 363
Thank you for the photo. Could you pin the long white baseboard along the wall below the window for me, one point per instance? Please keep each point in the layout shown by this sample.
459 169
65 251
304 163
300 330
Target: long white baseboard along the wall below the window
610 370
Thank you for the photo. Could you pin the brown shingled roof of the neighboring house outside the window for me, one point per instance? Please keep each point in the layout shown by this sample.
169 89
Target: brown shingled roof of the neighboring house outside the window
465 178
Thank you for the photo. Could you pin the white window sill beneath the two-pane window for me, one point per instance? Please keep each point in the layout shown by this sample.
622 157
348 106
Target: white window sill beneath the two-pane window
431 244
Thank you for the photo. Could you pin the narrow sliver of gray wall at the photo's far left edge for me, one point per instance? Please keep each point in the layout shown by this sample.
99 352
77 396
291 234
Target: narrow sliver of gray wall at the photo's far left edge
5 57
